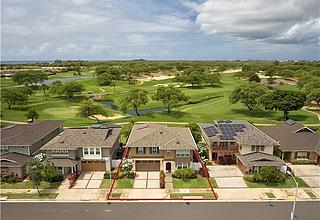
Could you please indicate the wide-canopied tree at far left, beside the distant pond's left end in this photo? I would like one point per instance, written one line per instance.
(27, 78)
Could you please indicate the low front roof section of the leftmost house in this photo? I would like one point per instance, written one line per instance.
(13, 160)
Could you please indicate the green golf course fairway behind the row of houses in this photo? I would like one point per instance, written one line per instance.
(212, 104)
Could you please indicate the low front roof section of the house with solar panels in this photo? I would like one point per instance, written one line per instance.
(259, 159)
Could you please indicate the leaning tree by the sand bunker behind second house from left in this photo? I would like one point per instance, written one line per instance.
(90, 108)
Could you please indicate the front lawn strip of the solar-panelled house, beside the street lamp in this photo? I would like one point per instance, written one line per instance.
(289, 183)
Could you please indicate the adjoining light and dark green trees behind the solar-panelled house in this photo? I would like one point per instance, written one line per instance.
(255, 96)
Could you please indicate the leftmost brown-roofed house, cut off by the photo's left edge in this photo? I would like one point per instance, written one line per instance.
(19, 142)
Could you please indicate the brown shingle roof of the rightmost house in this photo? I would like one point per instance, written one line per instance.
(295, 137)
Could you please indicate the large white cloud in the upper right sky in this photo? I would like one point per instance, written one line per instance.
(289, 21)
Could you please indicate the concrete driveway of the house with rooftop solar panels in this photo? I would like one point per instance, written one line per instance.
(227, 176)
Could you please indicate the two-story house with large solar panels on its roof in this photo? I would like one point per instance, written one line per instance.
(242, 142)
